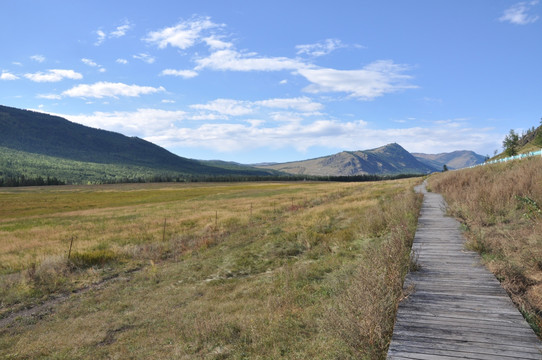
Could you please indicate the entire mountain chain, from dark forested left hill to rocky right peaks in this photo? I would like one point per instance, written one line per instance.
(34, 144)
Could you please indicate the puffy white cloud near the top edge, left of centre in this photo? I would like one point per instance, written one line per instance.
(183, 35)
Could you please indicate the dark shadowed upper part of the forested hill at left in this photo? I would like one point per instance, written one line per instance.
(53, 136)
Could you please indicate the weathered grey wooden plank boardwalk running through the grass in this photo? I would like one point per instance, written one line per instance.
(457, 308)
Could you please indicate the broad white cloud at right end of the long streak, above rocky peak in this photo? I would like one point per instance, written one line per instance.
(374, 80)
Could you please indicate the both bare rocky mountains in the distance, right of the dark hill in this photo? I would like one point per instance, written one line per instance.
(386, 160)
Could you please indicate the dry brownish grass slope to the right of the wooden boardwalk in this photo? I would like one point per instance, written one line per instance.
(500, 207)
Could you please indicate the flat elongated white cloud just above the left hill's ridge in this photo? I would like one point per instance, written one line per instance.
(108, 89)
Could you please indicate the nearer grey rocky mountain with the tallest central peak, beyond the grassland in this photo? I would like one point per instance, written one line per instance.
(386, 160)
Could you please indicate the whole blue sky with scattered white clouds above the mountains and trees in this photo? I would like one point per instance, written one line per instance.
(258, 81)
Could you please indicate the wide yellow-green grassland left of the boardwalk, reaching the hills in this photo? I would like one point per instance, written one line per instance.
(212, 271)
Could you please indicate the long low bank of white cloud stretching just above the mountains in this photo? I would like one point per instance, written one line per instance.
(168, 129)
